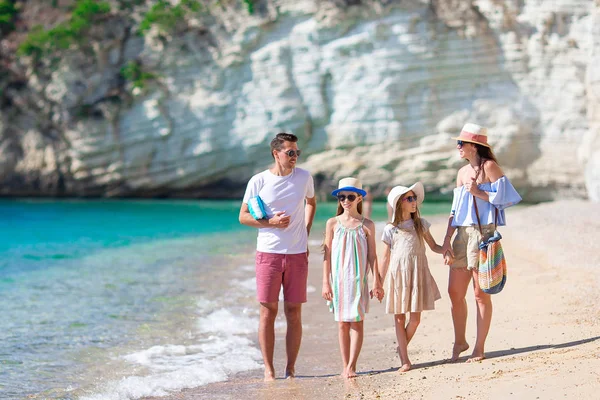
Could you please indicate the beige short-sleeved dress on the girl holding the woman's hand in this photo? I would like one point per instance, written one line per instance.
(409, 285)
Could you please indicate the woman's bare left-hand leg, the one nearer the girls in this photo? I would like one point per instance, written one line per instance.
(458, 283)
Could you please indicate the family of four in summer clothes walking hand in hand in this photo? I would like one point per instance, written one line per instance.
(281, 203)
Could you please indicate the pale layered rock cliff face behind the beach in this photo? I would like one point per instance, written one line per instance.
(375, 90)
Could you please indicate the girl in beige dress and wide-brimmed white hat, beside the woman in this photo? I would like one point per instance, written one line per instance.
(409, 286)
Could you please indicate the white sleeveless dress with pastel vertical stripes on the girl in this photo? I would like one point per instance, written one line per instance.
(349, 280)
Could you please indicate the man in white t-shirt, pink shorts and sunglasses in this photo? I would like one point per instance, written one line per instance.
(289, 199)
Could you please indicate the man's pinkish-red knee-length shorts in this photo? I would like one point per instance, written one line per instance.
(273, 270)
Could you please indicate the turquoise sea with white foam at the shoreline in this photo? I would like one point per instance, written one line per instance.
(128, 299)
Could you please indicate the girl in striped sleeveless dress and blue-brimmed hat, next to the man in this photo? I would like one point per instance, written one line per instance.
(349, 254)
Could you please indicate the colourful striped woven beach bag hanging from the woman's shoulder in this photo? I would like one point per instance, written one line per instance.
(492, 264)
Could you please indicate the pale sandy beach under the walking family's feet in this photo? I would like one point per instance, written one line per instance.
(544, 341)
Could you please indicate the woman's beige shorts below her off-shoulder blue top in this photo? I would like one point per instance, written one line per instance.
(466, 245)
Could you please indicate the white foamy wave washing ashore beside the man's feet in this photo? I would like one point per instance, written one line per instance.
(222, 352)
